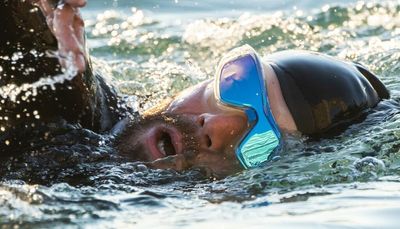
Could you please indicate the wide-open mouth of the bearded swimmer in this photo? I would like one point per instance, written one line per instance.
(164, 141)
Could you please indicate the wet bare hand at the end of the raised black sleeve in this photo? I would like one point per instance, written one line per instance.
(66, 23)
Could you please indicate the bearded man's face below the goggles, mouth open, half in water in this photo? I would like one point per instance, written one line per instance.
(193, 130)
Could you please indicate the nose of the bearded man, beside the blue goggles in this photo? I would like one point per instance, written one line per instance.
(219, 131)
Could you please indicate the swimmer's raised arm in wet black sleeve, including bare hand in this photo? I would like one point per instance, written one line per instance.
(34, 90)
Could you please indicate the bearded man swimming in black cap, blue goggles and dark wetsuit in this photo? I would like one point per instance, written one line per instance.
(216, 124)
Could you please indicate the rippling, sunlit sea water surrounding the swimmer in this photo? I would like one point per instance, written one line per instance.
(153, 49)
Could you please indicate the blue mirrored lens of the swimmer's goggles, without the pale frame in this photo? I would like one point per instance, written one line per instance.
(241, 84)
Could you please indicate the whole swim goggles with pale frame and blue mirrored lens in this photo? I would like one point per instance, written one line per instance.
(240, 84)
